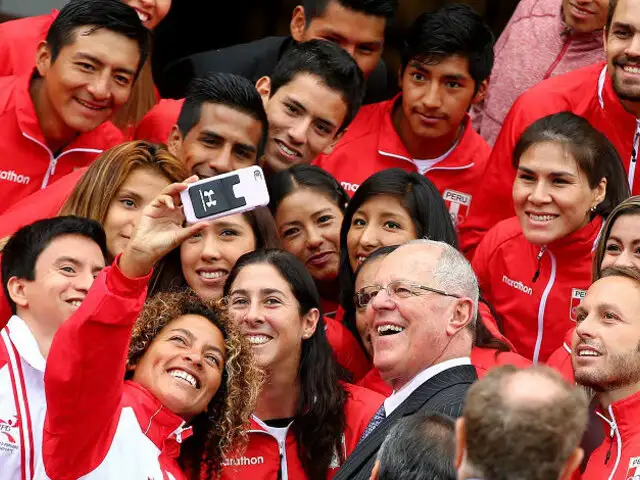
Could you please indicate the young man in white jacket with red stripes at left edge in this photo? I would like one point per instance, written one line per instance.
(47, 270)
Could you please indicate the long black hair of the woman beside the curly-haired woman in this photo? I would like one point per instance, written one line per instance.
(320, 418)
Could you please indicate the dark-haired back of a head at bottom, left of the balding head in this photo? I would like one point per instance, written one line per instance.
(419, 447)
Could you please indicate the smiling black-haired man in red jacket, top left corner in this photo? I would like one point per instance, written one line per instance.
(57, 118)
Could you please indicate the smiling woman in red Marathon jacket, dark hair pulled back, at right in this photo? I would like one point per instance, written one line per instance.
(533, 267)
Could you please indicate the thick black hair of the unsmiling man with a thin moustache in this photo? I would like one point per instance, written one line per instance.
(454, 29)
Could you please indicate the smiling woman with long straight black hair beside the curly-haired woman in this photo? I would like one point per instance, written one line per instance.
(307, 421)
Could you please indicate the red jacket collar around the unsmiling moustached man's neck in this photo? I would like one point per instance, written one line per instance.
(390, 144)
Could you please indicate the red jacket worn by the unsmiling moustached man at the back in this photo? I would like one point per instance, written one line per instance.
(371, 144)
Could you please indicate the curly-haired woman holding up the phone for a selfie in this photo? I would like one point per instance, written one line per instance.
(190, 382)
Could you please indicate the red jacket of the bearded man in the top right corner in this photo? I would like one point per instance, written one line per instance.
(587, 92)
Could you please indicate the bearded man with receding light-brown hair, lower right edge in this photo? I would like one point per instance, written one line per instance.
(606, 358)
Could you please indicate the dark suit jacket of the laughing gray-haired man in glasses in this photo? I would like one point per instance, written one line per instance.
(444, 393)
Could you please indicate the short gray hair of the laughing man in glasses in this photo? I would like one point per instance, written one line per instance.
(453, 273)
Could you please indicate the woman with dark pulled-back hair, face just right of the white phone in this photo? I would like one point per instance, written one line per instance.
(308, 206)
